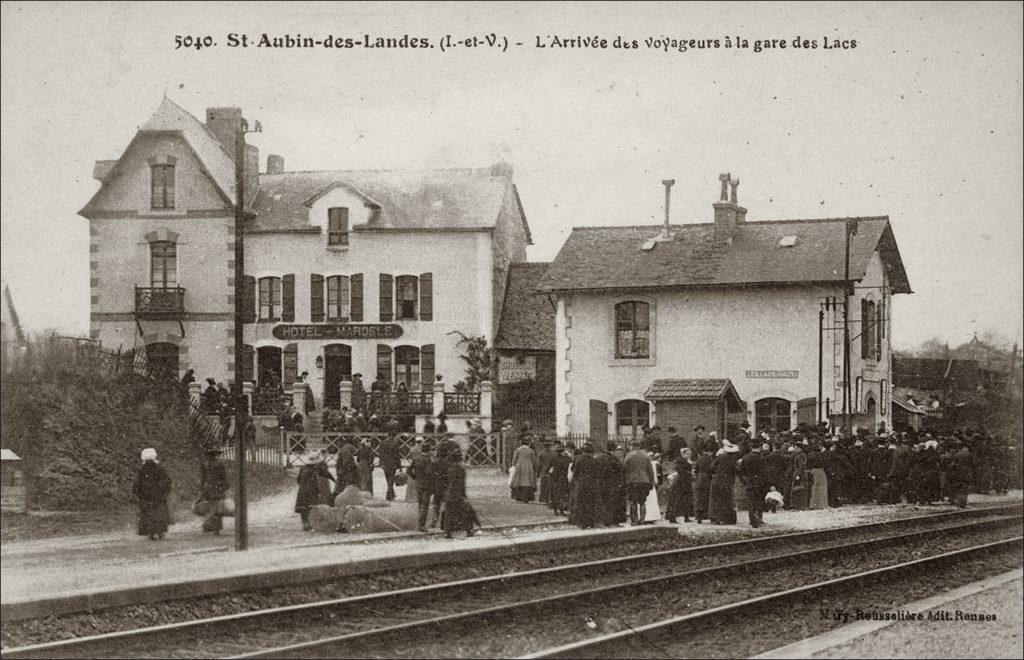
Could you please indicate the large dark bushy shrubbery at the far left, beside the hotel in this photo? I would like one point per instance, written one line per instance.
(79, 427)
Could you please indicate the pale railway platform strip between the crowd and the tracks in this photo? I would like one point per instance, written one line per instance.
(82, 568)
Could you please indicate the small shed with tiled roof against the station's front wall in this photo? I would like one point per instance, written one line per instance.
(686, 404)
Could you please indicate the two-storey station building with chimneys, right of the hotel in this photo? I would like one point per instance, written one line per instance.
(726, 316)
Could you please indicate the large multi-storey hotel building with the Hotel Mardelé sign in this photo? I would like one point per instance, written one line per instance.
(371, 273)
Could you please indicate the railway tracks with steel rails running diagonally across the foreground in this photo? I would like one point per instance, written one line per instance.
(396, 623)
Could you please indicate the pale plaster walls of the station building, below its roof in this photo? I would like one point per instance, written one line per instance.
(718, 333)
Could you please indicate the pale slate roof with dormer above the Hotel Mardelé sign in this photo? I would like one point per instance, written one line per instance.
(465, 199)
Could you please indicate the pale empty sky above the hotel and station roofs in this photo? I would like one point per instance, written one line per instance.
(922, 121)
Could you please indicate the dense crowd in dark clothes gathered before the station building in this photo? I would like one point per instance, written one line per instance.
(704, 478)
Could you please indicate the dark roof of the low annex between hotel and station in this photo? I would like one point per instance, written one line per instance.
(528, 320)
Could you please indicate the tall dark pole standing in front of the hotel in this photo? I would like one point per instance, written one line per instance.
(241, 407)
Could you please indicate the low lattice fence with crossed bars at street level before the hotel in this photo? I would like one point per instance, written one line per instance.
(478, 450)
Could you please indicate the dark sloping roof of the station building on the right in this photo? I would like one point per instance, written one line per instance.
(612, 257)
